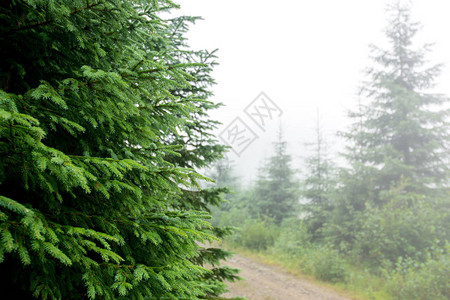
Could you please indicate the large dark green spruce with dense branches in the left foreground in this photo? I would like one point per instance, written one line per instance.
(97, 198)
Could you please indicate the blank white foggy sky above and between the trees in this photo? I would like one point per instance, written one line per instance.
(306, 56)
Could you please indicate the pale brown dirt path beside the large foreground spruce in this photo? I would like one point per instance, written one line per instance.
(264, 282)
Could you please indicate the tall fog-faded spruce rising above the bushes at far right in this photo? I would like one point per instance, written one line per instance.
(402, 132)
